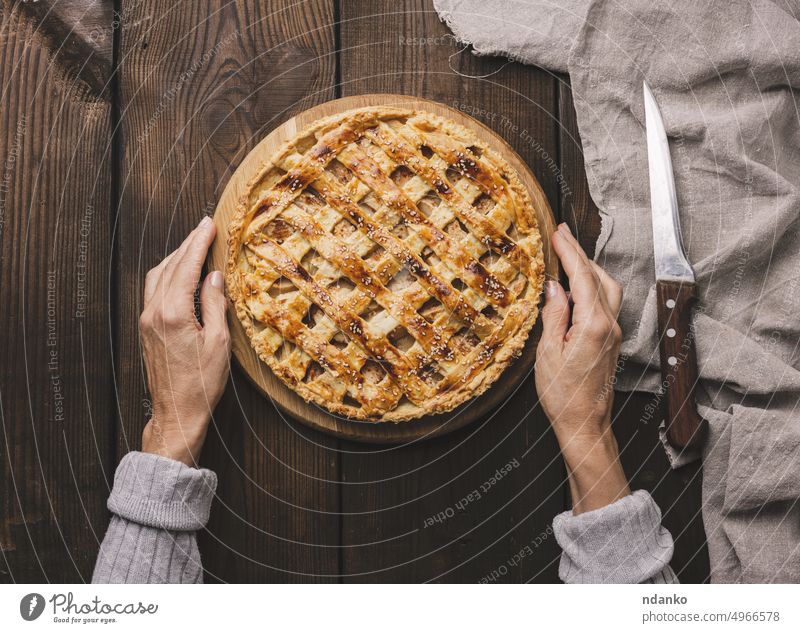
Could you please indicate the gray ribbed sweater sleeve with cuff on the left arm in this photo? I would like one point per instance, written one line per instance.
(157, 504)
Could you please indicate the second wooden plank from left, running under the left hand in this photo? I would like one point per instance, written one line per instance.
(200, 84)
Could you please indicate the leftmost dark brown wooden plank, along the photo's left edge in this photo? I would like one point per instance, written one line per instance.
(55, 179)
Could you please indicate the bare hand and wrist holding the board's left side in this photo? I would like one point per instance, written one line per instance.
(187, 363)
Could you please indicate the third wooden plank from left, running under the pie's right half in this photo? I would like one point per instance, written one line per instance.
(392, 495)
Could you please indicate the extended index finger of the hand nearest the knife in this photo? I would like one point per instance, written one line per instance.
(585, 288)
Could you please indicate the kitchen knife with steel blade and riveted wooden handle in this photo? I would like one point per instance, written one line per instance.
(675, 291)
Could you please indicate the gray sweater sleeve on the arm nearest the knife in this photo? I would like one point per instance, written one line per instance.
(621, 543)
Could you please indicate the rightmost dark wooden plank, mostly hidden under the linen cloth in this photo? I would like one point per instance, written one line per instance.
(678, 493)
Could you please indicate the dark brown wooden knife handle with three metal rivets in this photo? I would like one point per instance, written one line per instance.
(685, 426)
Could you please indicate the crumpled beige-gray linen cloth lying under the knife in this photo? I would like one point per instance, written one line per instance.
(726, 75)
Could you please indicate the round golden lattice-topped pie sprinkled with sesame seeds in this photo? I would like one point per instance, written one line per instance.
(386, 264)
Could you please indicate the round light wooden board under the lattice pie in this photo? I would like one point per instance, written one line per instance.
(309, 413)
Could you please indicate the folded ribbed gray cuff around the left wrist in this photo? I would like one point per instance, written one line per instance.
(162, 493)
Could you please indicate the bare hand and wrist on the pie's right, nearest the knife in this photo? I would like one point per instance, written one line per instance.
(575, 366)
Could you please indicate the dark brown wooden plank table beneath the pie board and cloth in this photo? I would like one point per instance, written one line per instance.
(120, 124)
